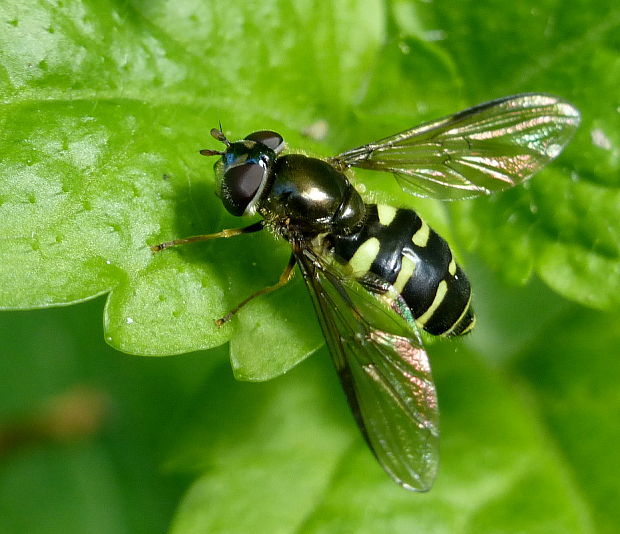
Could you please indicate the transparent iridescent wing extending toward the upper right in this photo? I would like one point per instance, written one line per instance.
(487, 148)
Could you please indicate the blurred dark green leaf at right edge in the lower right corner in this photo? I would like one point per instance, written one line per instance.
(571, 372)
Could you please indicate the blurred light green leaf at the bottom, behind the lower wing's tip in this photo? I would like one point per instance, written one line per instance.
(285, 457)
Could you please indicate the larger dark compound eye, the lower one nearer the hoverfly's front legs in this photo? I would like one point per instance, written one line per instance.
(240, 185)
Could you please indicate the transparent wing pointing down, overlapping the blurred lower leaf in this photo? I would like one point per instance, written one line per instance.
(383, 368)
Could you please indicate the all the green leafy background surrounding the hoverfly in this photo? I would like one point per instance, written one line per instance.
(104, 106)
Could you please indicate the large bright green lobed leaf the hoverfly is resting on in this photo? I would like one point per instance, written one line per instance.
(100, 153)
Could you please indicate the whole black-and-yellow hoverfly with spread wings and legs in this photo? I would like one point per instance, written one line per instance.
(376, 273)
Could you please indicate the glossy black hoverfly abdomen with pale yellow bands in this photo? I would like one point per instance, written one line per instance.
(399, 247)
